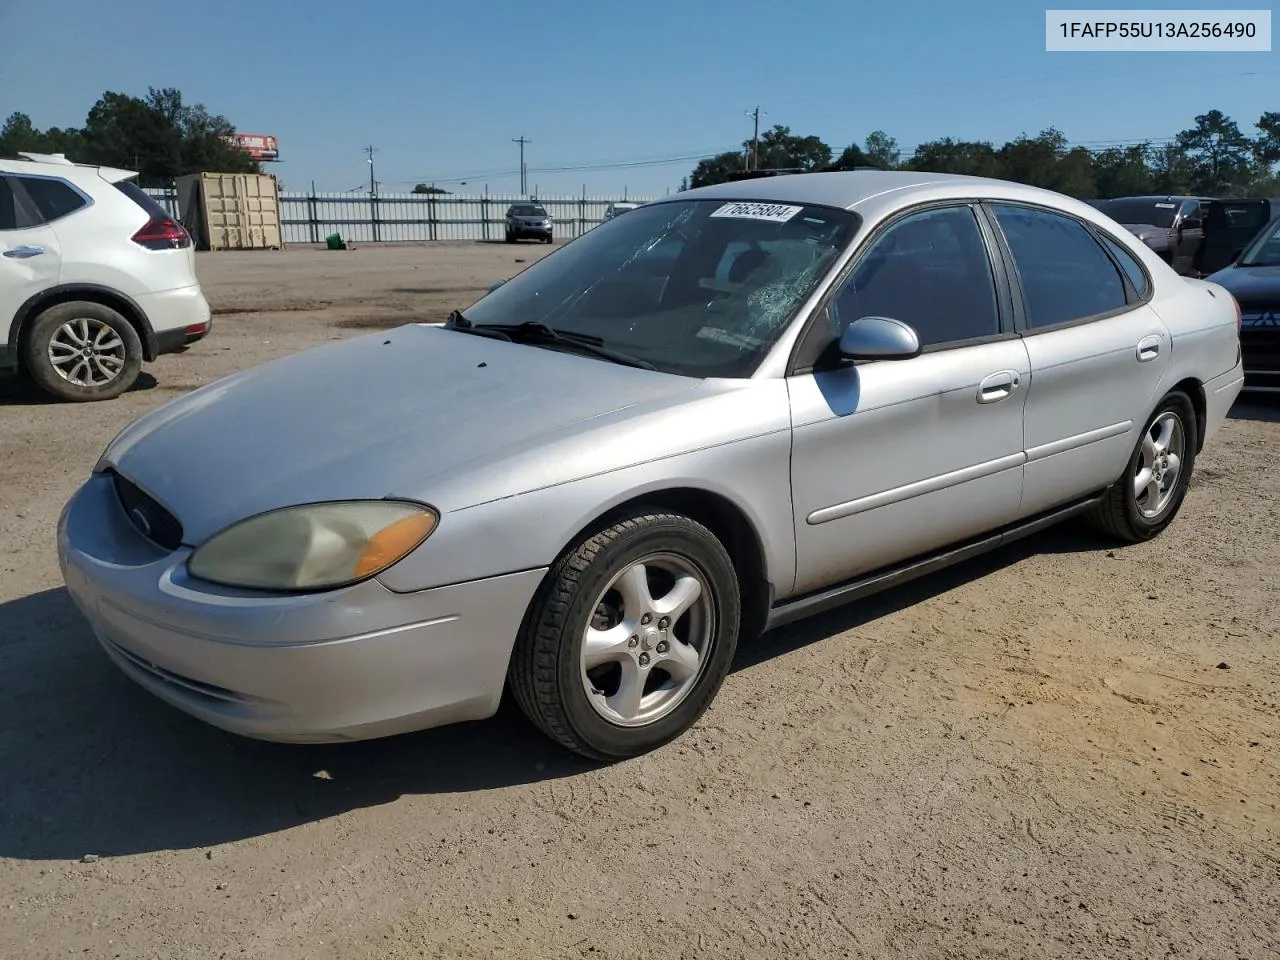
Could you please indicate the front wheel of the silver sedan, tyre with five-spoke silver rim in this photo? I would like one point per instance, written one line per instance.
(630, 638)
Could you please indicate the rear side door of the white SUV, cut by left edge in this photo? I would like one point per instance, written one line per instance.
(30, 253)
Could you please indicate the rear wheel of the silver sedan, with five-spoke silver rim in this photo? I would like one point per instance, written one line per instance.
(1150, 493)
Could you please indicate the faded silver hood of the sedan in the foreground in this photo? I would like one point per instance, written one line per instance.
(368, 418)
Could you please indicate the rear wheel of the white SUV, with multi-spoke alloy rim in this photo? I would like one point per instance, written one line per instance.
(83, 351)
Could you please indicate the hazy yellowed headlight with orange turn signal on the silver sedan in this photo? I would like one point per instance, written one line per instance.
(314, 547)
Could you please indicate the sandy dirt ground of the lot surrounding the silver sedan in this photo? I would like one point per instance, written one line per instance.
(1060, 751)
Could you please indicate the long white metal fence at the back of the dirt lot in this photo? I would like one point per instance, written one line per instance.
(310, 218)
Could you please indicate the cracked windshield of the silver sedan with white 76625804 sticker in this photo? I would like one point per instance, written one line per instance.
(701, 289)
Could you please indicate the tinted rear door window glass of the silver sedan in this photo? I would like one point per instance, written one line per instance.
(1064, 273)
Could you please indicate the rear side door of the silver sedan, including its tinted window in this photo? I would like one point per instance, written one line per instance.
(1098, 351)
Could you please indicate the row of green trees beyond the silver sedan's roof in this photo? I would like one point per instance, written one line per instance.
(1212, 158)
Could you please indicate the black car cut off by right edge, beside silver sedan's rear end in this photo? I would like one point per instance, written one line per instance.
(1254, 280)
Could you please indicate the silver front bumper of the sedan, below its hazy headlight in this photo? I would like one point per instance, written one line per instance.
(346, 665)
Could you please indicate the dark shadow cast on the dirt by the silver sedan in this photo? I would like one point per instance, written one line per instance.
(99, 767)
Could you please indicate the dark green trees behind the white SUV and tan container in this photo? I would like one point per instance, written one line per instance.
(159, 136)
